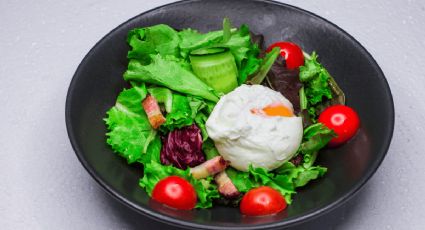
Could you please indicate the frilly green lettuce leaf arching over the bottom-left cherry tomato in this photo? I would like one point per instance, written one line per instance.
(205, 189)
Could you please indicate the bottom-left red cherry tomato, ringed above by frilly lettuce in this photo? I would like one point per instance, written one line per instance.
(175, 192)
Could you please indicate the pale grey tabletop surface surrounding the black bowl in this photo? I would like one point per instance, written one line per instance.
(42, 184)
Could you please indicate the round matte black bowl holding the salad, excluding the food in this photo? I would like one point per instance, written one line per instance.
(98, 80)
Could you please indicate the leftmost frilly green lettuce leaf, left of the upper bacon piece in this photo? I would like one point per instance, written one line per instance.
(130, 133)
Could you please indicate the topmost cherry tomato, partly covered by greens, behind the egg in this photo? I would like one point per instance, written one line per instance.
(292, 53)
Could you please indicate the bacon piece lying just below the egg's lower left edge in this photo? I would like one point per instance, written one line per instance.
(209, 167)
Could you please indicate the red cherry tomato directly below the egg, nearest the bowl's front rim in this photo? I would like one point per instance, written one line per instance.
(262, 201)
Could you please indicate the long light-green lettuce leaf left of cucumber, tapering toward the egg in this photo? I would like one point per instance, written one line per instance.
(171, 73)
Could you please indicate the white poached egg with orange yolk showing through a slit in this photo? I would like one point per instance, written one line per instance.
(255, 125)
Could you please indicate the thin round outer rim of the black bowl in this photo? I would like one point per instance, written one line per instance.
(308, 216)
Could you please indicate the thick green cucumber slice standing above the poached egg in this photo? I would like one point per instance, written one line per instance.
(216, 67)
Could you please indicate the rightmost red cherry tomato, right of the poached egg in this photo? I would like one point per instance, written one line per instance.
(343, 120)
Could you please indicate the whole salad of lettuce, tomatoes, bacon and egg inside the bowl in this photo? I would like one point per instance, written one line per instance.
(217, 119)
